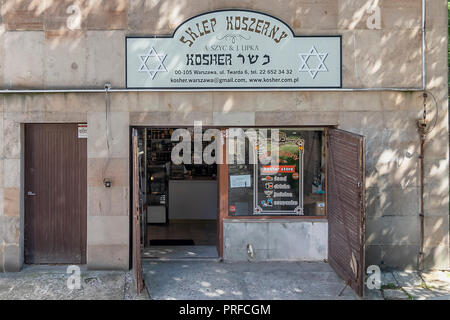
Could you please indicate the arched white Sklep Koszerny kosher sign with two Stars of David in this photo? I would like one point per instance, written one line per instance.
(233, 49)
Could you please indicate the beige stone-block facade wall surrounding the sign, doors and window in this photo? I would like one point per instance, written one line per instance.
(37, 50)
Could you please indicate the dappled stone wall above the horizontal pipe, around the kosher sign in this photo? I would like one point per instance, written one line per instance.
(77, 35)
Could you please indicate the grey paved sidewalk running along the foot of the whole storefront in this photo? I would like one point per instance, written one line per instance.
(181, 279)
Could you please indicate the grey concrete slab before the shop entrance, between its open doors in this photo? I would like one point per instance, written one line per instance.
(193, 280)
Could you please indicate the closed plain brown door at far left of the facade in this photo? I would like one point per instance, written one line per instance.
(55, 194)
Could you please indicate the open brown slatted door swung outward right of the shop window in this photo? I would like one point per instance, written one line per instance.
(346, 206)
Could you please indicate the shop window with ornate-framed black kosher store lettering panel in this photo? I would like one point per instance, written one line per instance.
(285, 178)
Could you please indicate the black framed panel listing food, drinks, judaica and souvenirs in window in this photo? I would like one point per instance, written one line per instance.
(279, 188)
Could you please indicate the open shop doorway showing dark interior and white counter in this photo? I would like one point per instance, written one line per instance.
(178, 201)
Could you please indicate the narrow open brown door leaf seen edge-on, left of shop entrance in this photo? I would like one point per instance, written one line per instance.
(137, 242)
